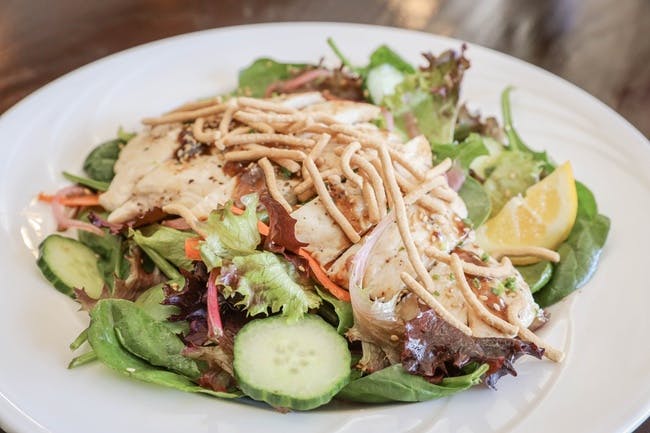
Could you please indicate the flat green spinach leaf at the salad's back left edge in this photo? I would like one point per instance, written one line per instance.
(256, 78)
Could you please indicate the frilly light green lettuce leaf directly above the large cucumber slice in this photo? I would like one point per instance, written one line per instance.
(267, 283)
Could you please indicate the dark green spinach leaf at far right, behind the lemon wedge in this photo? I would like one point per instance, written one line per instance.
(580, 253)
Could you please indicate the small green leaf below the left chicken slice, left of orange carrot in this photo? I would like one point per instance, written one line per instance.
(167, 242)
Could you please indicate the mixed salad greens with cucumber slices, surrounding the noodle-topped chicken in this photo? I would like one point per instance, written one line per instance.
(239, 312)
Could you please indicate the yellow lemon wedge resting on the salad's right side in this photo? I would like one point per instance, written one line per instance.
(542, 218)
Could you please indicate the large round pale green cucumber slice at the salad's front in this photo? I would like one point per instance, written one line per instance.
(299, 365)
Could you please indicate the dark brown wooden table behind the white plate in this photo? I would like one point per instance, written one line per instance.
(600, 45)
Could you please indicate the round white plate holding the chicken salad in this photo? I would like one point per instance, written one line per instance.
(603, 385)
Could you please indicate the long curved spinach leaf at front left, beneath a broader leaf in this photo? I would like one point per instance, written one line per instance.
(105, 344)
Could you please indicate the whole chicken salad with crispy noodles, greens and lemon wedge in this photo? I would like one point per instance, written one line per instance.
(351, 233)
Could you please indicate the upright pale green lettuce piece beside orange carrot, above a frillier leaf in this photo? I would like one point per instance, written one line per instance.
(230, 235)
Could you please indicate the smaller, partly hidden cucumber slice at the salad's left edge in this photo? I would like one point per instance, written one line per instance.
(67, 263)
